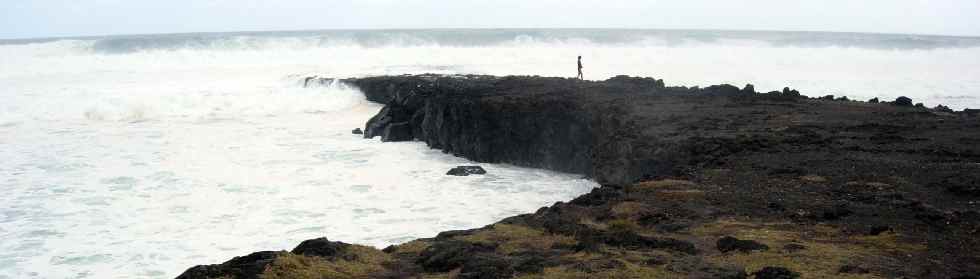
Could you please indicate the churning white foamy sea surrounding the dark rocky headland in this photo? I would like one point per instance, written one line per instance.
(140, 156)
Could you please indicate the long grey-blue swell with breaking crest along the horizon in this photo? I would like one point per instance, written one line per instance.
(501, 37)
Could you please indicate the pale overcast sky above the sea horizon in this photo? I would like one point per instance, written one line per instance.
(46, 18)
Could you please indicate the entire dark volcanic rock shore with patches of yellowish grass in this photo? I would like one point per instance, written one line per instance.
(715, 182)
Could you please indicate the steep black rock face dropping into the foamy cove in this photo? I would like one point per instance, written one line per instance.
(531, 121)
